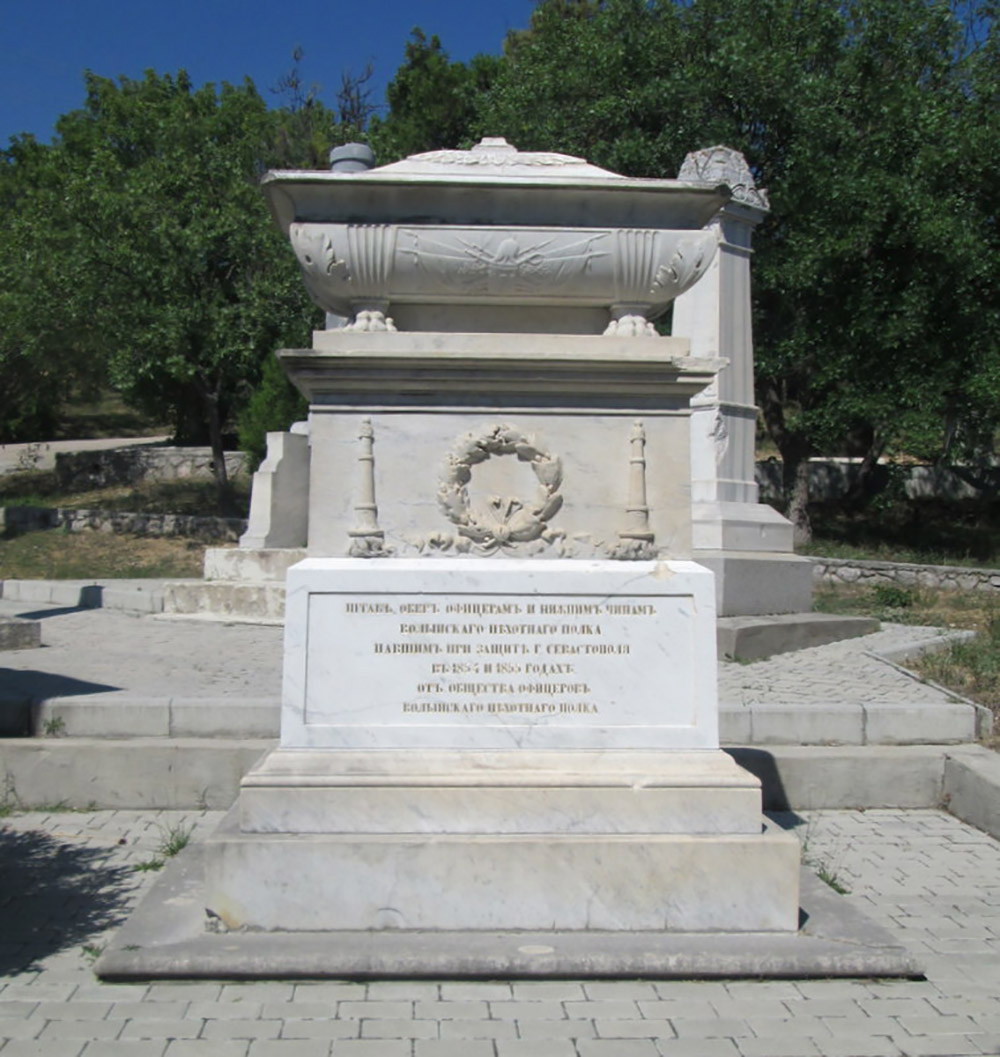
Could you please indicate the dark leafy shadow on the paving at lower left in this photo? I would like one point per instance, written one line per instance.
(54, 896)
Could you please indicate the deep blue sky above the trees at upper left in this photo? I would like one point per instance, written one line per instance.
(47, 45)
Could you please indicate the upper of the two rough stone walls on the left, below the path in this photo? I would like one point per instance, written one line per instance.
(102, 470)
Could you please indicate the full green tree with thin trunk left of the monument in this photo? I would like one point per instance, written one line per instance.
(187, 285)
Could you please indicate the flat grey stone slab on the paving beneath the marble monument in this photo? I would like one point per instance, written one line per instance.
(166, 938)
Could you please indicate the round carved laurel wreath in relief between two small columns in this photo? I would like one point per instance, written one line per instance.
(507, 521)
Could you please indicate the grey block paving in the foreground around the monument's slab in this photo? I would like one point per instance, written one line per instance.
(68, 879)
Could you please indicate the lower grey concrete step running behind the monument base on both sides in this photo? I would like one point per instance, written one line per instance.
(190, 773)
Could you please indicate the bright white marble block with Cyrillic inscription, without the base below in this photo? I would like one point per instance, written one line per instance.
(480, 669)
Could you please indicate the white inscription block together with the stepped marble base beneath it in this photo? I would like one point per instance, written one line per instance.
(501, 746)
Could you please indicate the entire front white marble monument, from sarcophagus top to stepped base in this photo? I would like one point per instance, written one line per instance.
(499, 707)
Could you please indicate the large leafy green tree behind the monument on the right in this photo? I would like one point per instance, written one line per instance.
(865, 121)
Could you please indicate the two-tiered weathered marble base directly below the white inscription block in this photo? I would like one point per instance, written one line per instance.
(494, 841)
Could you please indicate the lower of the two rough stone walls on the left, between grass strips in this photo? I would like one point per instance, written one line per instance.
(18, 520)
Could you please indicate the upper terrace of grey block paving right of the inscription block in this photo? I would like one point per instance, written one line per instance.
(845, 674)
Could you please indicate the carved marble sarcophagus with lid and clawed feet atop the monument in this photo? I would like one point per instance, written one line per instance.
(516, 240)
